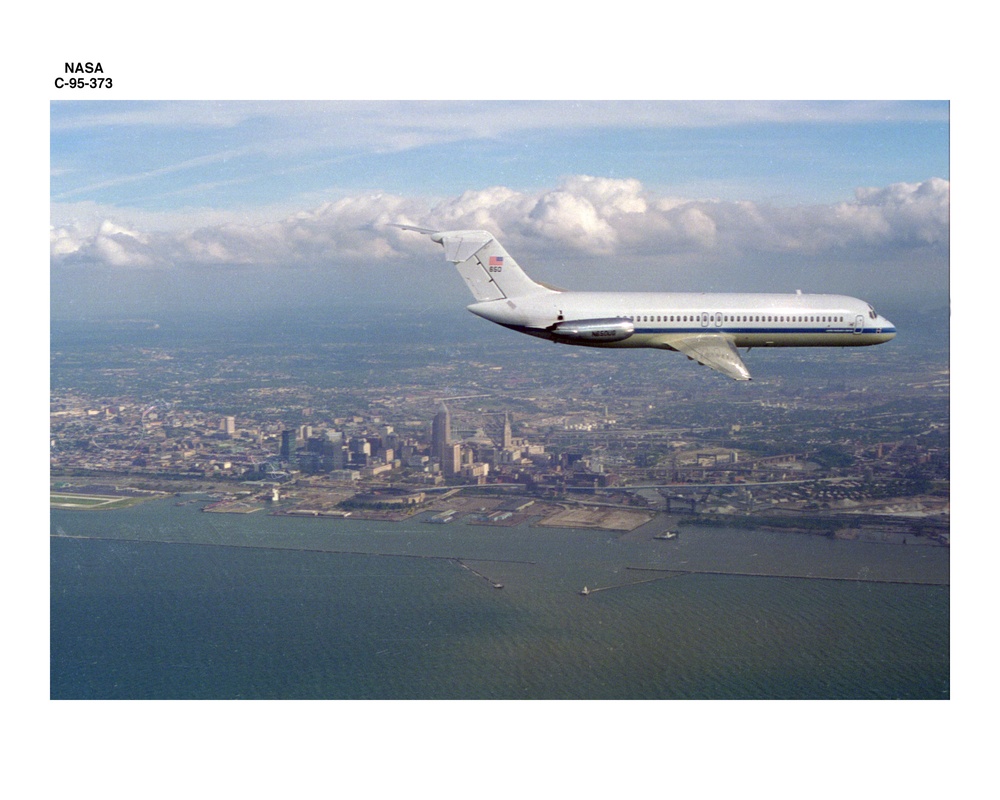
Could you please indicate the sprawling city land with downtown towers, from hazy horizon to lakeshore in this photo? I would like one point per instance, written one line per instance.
(840, 456)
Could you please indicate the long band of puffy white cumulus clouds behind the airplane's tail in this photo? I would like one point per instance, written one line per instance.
(590, 215)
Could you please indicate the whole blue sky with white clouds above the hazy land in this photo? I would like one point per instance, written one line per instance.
(287, 200)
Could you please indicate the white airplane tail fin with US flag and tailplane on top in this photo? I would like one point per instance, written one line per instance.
(487, 269)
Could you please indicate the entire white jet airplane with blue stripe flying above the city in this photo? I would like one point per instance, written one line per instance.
(706, 327)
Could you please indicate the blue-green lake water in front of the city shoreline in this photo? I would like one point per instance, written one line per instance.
(163, 601)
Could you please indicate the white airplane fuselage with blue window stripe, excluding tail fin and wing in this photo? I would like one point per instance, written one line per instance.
(749, 320)
